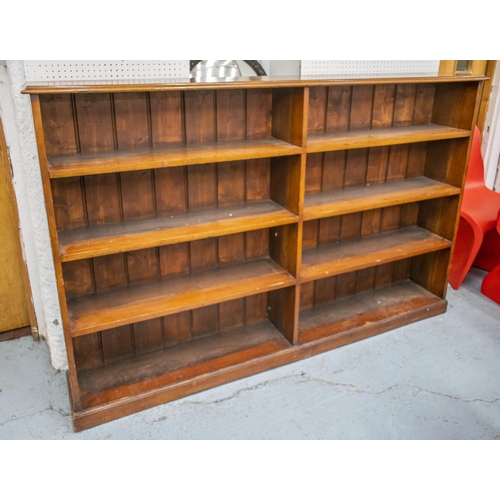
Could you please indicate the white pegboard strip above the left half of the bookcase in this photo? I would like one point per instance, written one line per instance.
(47, 71)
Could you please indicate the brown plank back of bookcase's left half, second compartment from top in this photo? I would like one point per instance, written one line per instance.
(144, 194)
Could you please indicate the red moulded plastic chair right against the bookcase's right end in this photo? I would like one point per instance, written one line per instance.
(478, 217)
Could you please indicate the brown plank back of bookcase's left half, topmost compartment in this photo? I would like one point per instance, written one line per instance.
(85, 123)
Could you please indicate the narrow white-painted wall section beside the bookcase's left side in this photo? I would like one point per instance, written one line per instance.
(19, 131)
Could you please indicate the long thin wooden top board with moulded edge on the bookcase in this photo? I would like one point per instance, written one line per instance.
(103, 86)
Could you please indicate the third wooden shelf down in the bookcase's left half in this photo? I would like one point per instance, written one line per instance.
(113, 308)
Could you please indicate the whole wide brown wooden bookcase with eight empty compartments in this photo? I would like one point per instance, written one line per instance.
(203, 232)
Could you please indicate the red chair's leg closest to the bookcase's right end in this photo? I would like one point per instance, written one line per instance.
(467, 245)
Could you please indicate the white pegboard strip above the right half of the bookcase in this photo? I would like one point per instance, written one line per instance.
(347, 69)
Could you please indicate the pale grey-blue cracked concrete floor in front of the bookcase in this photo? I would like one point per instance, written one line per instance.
(435, 379)
